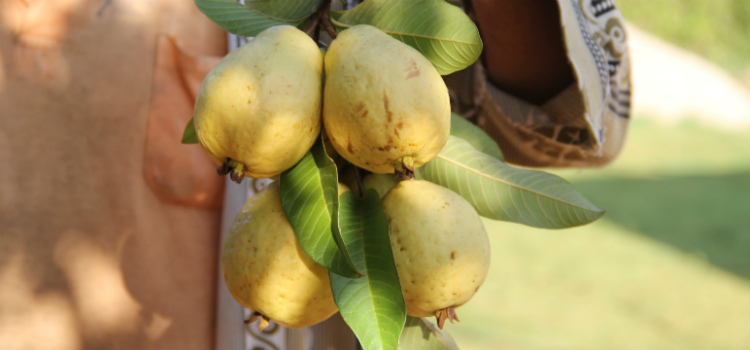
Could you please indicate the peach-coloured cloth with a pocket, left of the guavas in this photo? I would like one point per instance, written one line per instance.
(109, 228)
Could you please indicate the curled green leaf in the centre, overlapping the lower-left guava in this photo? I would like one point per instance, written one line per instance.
(309, 196)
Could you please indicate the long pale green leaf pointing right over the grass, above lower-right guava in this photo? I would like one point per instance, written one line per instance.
(501, 192)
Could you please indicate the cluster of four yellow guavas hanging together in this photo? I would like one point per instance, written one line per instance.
(385, 109)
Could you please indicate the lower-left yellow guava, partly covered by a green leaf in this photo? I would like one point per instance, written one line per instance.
(266, 270)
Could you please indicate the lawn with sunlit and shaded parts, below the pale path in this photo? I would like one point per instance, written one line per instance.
(667, 267)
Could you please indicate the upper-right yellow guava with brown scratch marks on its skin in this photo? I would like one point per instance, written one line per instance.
(385, 108)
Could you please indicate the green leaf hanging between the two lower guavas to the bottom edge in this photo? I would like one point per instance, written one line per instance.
(373, 305)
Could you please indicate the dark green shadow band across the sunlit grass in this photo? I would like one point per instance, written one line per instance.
(704, 215)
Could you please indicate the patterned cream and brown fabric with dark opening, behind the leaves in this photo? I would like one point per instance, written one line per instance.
(556, 90)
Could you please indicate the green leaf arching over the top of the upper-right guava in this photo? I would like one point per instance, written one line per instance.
(440, 31)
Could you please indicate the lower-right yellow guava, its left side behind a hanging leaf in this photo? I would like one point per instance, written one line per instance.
(440, 247)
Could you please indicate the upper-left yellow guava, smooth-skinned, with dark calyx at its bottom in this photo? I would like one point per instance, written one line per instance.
(258, 111)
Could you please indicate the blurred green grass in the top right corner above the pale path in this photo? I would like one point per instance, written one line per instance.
(718, 30)
